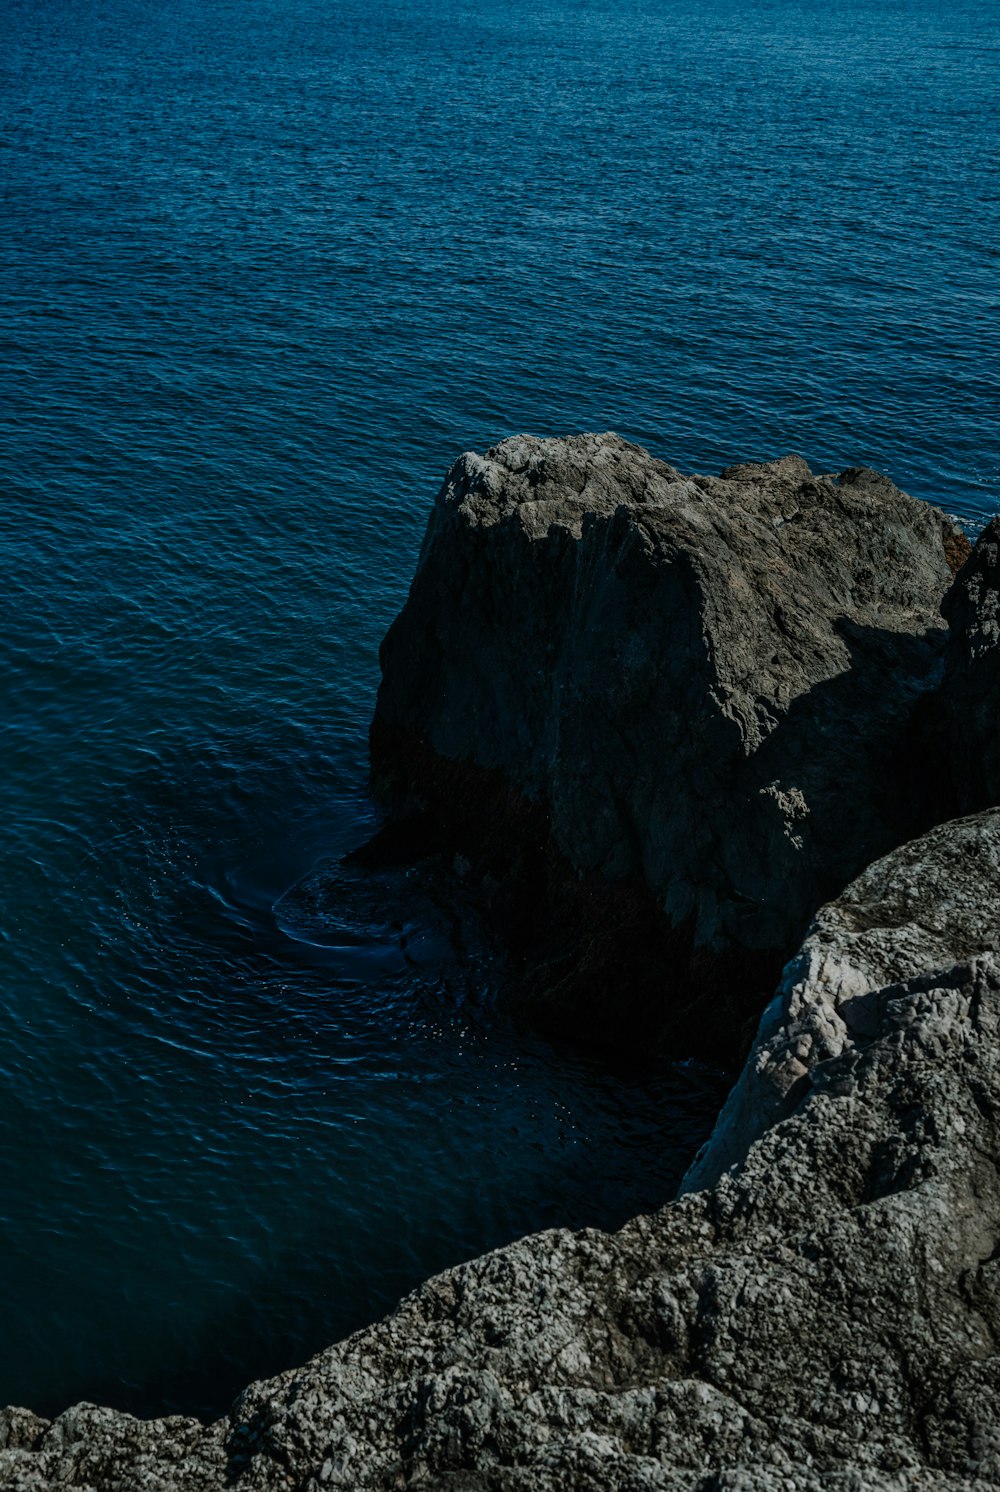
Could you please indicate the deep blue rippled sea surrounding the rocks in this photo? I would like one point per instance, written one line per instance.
(266, 268)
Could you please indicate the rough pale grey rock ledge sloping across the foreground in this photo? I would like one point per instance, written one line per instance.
(826, 1318)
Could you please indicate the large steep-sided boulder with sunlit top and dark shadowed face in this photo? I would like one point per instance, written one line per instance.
(695, 690)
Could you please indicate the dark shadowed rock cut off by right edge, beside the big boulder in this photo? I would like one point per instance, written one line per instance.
(969, 700)
